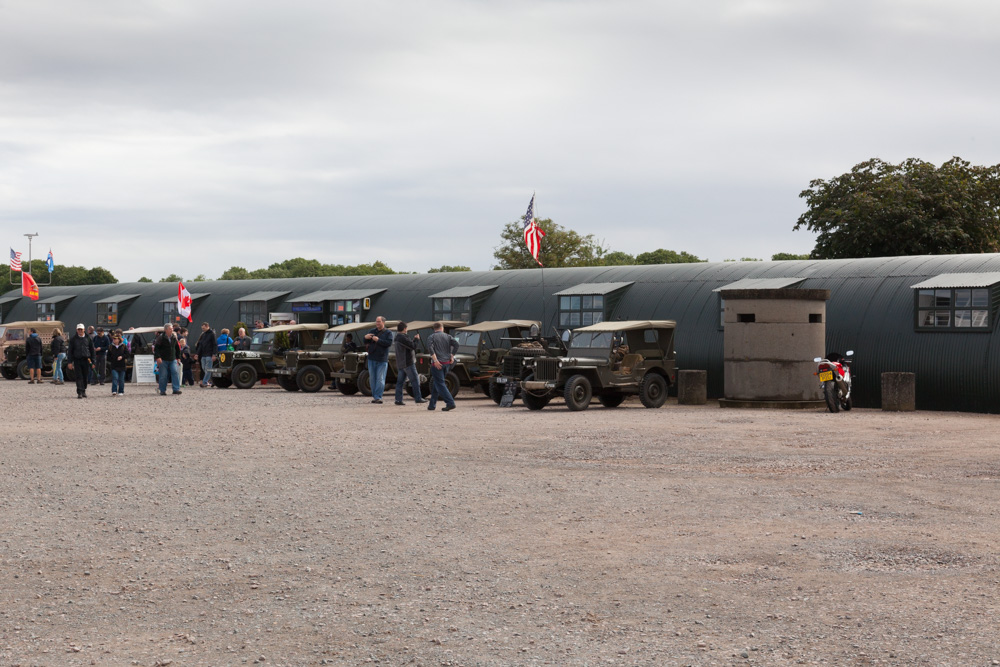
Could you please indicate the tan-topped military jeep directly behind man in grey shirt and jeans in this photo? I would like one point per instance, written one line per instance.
(481, 350)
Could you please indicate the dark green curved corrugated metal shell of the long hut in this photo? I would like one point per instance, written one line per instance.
(871, 310)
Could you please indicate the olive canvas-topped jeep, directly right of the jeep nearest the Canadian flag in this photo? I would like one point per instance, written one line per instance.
(311, 369)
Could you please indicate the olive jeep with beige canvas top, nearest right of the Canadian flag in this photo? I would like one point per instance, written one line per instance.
(244, 368)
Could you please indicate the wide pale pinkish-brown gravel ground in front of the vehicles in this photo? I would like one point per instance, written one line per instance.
(228, 527)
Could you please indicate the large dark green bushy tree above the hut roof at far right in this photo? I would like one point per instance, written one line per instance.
(913, 208)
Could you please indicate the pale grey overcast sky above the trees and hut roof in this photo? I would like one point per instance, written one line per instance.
(187, 136)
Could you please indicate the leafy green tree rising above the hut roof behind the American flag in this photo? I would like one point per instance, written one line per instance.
(560, 247)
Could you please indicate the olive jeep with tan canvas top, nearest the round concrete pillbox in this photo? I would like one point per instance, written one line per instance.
(610, 360)
